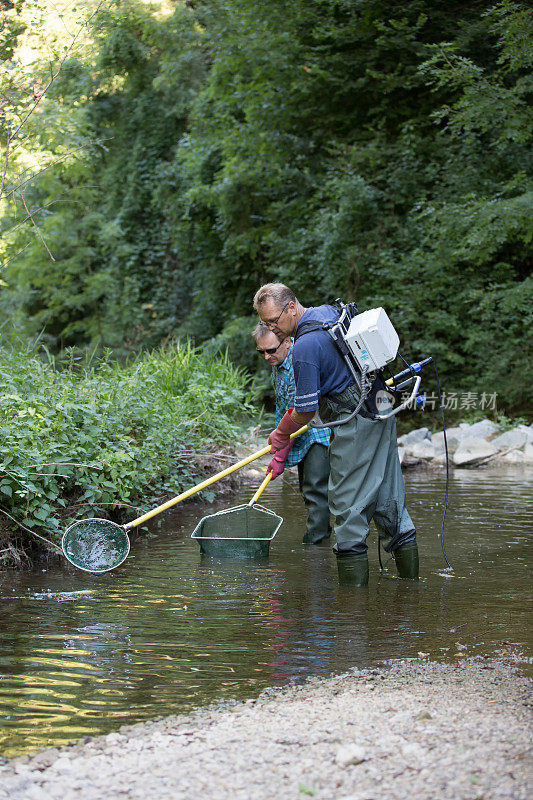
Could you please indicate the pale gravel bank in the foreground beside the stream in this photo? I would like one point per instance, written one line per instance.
(423, 730)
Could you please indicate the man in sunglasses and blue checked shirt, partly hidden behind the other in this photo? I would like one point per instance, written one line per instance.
(310, 451)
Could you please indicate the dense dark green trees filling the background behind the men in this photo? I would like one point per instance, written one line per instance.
(350, 148)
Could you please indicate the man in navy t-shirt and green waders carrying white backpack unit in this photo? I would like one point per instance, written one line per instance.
(365, 480)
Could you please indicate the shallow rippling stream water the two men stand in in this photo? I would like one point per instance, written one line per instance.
(169, 630)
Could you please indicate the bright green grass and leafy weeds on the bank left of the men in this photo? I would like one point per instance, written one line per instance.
(82, 439)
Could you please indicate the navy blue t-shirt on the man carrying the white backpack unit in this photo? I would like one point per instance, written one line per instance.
(319, 368)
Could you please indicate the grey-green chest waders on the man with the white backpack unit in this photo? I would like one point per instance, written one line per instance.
(365, 475)
